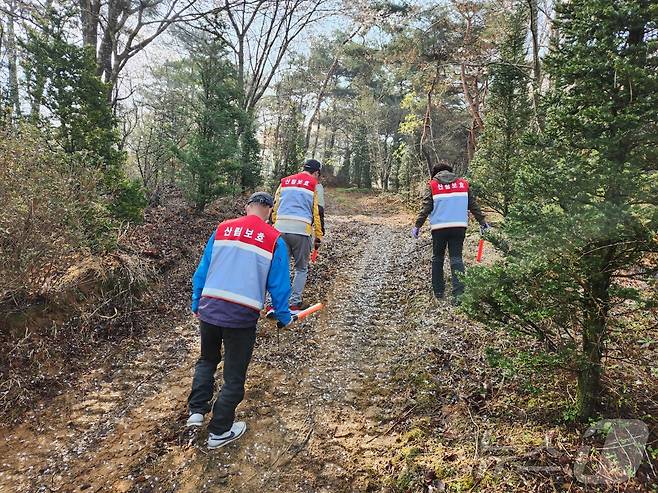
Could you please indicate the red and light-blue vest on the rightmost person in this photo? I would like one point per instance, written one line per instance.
(450, 204)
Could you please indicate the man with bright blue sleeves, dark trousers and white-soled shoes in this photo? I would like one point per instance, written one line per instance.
(244, 258)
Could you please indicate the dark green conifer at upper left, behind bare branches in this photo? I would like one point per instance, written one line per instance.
(62, 77)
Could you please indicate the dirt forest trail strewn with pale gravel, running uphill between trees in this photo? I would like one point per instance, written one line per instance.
(320, 406)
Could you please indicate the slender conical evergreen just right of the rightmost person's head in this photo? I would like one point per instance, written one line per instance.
(500, 151)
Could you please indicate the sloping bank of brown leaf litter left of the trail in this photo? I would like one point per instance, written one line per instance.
(101, 306)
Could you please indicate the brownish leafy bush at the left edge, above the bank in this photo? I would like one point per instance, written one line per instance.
(52, 209)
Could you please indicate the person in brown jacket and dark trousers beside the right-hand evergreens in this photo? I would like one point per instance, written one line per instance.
(446, 202)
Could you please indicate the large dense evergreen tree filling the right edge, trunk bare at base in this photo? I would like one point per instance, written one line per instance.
(585, 217)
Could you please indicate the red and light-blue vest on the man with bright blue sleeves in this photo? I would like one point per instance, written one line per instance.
(240, 263)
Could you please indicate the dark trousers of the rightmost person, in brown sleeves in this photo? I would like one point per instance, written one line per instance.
(453, 239)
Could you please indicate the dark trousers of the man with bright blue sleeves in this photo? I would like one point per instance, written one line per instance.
(238, 347)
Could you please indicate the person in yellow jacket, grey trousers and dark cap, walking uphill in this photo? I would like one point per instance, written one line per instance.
(297, 216)
